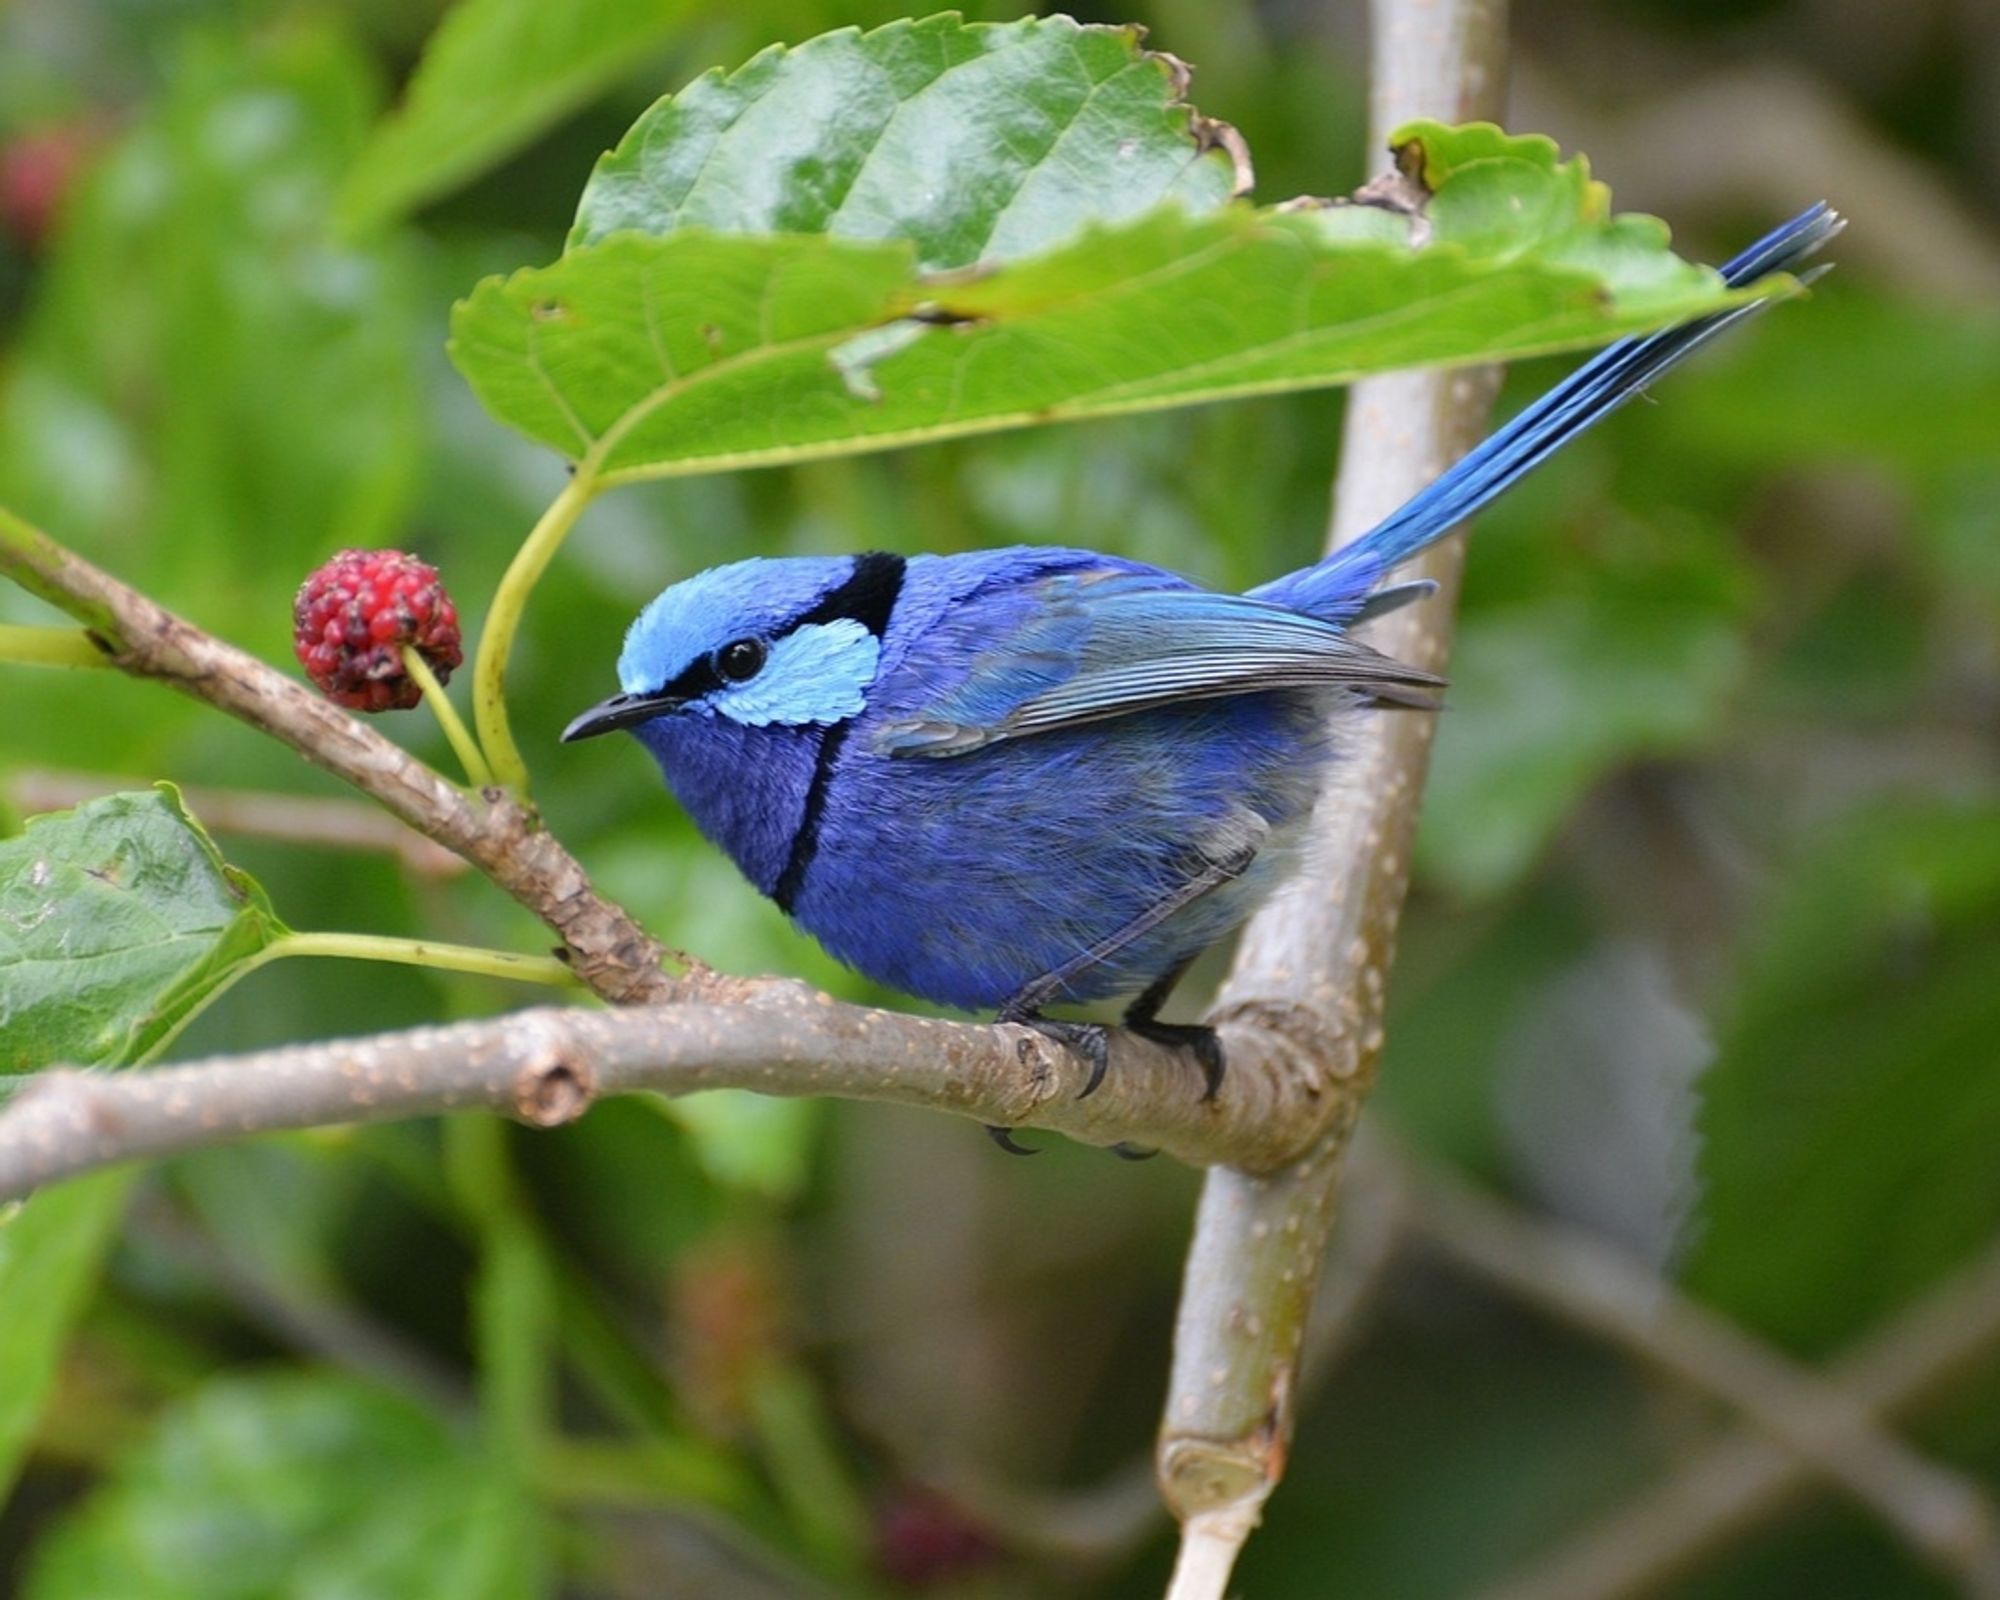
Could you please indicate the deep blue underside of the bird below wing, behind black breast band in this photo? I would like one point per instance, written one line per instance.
(965, 881)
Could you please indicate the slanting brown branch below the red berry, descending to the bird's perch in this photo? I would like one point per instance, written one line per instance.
(493, 831)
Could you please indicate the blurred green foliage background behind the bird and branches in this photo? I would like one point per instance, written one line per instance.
(1725, 713)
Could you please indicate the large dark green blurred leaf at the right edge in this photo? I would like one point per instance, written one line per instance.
(1855, 1109)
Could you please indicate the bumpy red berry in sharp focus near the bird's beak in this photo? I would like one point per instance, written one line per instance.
(355, 615)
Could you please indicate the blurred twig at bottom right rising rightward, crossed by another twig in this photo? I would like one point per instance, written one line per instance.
(1741, 1483)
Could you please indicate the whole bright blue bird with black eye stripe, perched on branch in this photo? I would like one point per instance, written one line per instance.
(1025, 777)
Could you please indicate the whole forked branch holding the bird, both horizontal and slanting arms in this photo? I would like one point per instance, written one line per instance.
(1279, 1097)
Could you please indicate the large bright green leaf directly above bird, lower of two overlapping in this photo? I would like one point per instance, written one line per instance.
(695, 353)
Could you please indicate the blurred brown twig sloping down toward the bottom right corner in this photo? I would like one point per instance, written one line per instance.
(1939, 1513)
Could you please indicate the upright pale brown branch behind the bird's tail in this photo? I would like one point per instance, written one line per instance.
(1319, 955)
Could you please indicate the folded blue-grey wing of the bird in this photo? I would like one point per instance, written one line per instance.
(1087, 647)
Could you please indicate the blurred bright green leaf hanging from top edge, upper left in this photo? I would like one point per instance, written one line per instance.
(493, 77)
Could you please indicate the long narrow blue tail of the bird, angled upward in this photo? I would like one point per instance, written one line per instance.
(1341, 585)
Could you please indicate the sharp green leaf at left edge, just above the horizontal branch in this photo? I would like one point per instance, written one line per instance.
(117, 923)
